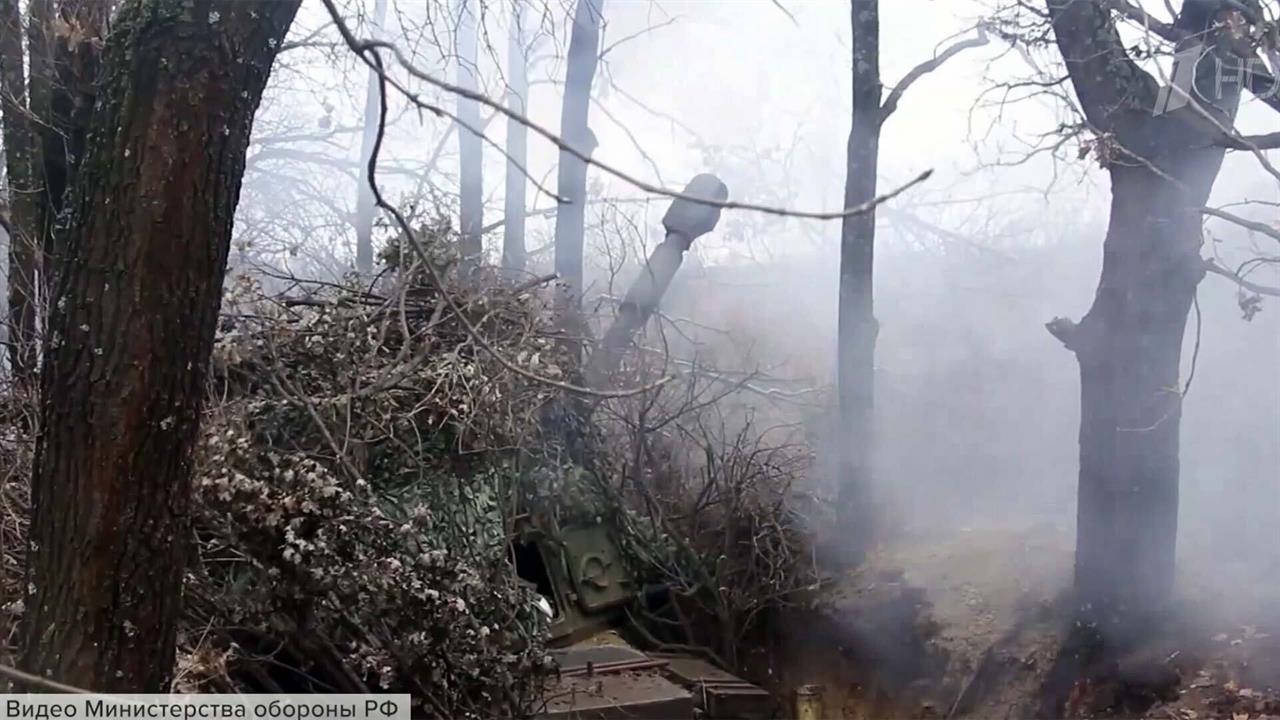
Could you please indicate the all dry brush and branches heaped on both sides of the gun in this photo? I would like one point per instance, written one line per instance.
(360, 464)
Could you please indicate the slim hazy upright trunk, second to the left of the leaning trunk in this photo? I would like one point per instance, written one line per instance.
(470, 149)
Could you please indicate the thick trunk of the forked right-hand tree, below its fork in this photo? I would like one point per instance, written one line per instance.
(1130, 349)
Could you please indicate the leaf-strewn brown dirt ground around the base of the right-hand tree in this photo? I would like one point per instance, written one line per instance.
(970, 625)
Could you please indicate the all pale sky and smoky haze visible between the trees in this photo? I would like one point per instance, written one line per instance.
(979, 407)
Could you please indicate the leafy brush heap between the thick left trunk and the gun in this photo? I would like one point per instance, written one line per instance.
(355, 472)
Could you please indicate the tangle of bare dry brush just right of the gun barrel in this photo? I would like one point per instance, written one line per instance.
(714, 503)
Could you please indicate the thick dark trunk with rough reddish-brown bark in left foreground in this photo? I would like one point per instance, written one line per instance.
(131, 335)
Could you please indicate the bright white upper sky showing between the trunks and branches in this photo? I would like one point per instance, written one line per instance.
(767, 81)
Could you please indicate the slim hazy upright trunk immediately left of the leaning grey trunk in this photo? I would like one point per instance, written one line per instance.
(518, 149)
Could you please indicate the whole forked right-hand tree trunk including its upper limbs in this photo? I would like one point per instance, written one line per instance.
(1130, 345)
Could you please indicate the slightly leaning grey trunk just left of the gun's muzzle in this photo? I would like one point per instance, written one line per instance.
(584, 51)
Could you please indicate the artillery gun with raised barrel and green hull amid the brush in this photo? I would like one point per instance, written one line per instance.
(580, 575)
